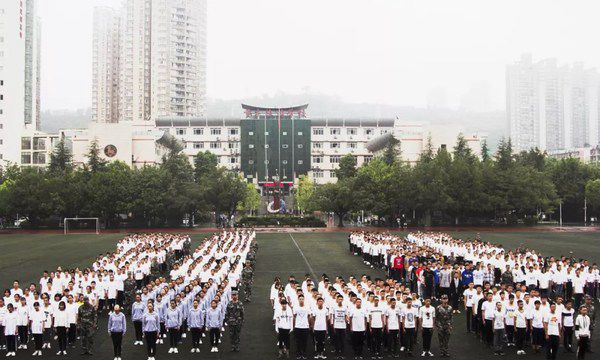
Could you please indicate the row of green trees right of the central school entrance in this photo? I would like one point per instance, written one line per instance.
(458, 187)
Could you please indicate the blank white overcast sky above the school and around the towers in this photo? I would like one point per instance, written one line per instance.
(382, 51)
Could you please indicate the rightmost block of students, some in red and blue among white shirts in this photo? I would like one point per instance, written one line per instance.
(511, 298)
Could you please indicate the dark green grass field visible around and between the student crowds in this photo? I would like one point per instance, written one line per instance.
(280, 254)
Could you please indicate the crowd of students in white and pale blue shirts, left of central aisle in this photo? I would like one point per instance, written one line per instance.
(193, 299)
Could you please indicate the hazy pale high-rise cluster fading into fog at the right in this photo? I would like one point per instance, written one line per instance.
(551, 107)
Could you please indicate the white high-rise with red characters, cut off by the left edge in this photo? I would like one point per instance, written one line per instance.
(19, 74)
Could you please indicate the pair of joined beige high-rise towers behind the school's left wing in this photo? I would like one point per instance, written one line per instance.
(160, 62)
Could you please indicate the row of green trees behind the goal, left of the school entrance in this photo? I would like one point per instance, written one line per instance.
(149, 196)
